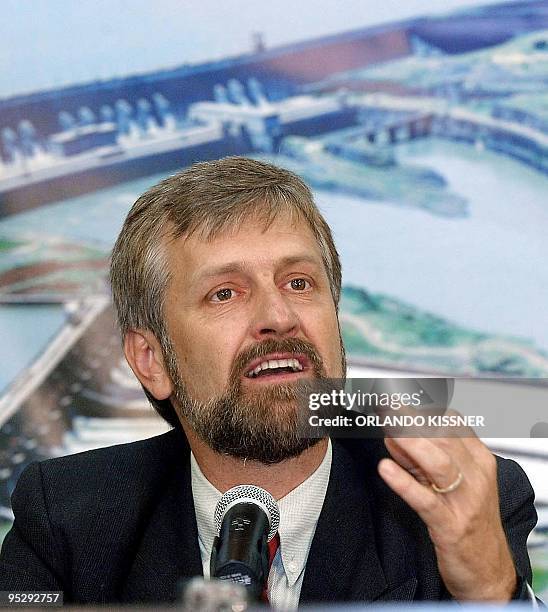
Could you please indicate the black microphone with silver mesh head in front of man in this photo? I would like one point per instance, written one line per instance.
(246, 518)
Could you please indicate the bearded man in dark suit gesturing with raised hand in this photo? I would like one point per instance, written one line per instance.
(226, 283)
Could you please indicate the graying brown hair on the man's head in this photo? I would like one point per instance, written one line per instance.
(207, 198)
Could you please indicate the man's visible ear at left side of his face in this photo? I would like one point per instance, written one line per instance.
(144, 356)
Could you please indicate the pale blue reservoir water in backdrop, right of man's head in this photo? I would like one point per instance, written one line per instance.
(487, 271)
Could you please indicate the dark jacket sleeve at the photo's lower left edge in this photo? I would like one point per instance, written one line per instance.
(30, 557)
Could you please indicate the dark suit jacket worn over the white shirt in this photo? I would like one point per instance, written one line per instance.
(118, 525)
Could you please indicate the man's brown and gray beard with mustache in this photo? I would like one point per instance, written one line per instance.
(259, 424)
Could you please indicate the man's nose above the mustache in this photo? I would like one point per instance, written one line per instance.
(274, 316)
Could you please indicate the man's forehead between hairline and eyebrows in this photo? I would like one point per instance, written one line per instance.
(252, 243)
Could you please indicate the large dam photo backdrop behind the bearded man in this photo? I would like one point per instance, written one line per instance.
(424, 136)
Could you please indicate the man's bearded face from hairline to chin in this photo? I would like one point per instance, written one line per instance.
(249, 315)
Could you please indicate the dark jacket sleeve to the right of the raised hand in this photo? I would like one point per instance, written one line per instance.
(519, 517)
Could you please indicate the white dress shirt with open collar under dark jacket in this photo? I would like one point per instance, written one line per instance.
(299, 513)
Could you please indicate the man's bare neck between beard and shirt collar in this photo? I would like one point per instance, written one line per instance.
(225, 472)
